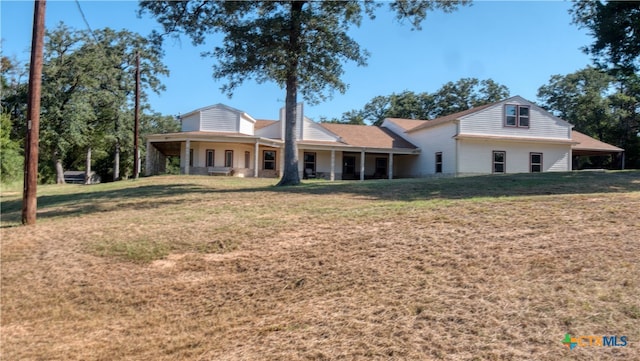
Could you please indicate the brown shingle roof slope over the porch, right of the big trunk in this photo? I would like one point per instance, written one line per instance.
(367, 136)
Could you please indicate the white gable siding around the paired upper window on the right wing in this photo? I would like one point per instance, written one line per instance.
(490, 121)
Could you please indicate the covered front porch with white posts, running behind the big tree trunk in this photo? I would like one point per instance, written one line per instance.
(250, 156)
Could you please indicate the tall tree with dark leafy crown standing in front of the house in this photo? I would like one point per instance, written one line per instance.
(299, 45)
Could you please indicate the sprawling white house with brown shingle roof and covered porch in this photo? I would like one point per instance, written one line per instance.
(510, 136)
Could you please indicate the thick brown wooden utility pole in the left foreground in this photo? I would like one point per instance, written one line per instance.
(29, 193)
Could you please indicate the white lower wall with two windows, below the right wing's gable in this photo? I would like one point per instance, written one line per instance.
(476, 156)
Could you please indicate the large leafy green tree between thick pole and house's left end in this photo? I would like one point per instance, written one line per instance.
(88, 84)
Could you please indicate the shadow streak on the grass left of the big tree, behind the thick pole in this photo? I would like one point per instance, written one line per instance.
(92, 201)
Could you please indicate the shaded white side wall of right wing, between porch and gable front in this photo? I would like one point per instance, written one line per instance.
(432, 140)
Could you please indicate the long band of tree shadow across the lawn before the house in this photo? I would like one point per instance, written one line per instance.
(153, 196)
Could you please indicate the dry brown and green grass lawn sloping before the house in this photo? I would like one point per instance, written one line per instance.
(219, 268)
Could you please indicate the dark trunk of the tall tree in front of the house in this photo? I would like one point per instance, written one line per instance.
(290, 174)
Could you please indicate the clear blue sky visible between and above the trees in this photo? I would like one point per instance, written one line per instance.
(520, 44)
